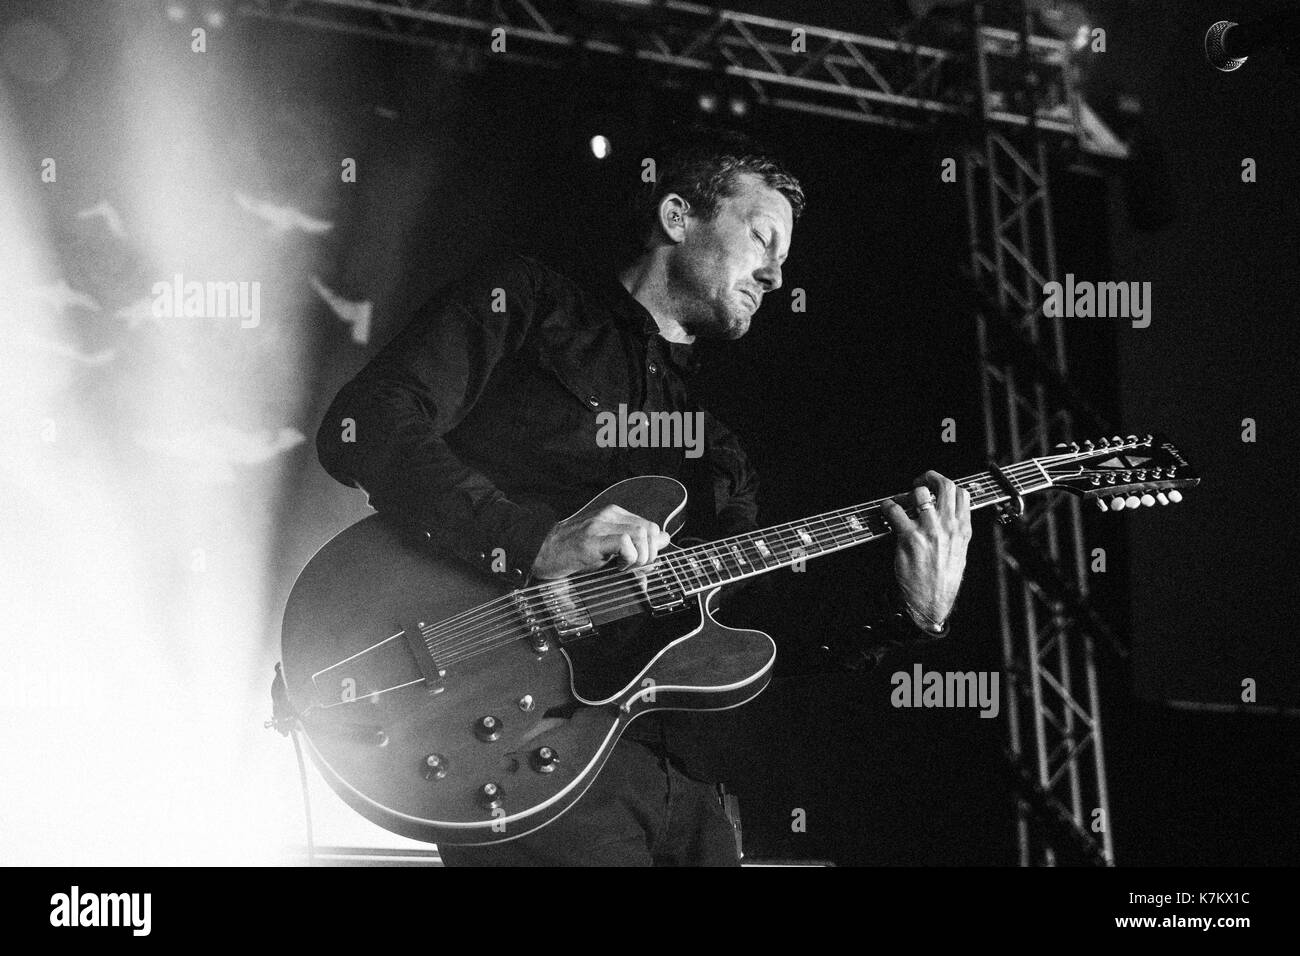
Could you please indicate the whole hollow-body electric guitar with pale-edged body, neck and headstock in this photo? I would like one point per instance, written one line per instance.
(447, 707)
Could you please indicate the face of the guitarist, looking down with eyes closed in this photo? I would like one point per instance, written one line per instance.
(722, 270)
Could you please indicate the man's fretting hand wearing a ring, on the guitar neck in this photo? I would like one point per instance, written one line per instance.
(930, 553)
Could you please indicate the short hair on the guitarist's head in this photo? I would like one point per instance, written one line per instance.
(704, 167)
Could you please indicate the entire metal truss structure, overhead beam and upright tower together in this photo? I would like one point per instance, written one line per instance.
(1016, 88)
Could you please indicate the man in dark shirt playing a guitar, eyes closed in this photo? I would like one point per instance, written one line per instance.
(479, 422)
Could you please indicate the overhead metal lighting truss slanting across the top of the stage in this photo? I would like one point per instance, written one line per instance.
(786, 64)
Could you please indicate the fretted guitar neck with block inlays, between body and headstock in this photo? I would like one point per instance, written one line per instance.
(703, 568)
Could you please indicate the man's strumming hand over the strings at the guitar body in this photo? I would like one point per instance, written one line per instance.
(584, 543)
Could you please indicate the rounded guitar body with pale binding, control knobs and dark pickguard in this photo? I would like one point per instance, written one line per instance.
(375, 715)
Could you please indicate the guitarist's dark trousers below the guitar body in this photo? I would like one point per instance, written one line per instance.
(642, 812)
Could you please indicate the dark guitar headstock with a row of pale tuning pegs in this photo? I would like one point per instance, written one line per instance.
(1126, 473)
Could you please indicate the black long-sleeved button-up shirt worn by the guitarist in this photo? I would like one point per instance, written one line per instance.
(480, 421)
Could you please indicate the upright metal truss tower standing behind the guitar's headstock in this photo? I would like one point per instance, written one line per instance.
(1048, 634)
